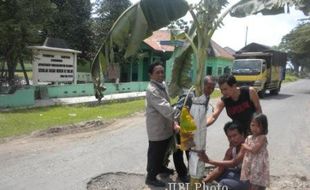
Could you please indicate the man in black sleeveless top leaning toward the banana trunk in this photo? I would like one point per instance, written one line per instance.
(240, 102)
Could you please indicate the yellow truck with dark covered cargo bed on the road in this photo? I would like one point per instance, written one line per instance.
(264, 70)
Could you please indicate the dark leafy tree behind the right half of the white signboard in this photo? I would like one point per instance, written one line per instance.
(71, 21)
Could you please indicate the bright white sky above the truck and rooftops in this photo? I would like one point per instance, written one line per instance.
(266, 30)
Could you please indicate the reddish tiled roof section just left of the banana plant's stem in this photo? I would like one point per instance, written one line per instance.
(154, 41)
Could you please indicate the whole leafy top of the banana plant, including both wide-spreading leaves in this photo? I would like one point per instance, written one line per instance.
(138, 21)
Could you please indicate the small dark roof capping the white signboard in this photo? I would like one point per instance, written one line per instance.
(55, 44)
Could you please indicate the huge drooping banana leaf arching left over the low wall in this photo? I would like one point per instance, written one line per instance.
(130, 29)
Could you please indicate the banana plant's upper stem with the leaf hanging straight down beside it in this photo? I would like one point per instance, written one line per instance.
(206, 20)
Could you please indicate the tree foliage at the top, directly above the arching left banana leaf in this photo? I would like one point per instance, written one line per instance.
(107, 13)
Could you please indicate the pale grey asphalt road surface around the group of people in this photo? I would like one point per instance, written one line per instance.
(69, 162)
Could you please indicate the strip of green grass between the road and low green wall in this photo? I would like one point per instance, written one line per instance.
(25, 121)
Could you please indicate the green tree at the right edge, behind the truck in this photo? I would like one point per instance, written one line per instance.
(297, 44)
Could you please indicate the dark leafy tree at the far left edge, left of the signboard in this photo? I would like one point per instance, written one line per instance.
(20, 23)
